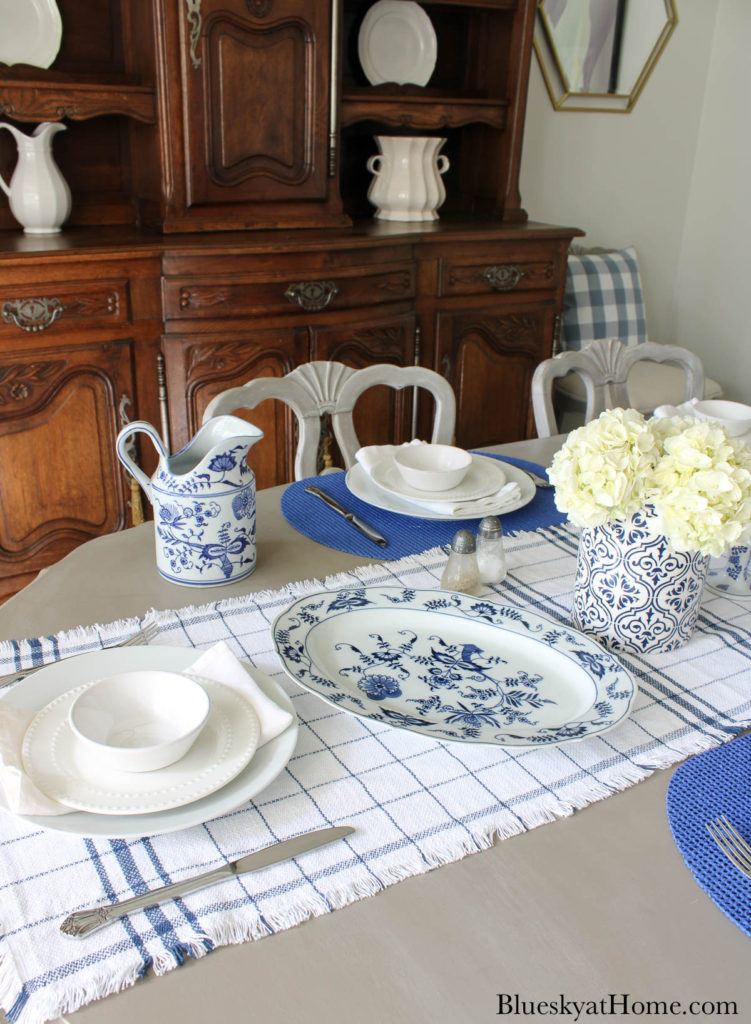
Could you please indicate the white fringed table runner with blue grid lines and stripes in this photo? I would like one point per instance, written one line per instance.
(416, 803)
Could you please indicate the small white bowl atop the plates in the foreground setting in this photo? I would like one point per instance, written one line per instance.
(140, 721)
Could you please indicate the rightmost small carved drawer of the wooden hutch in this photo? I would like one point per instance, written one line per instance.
(499, 272)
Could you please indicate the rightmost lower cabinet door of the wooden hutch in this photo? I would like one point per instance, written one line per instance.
(490, 355)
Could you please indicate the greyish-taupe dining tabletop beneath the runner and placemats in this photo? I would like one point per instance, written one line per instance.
(592, 911)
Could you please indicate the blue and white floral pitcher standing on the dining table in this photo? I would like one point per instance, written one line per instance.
(204, 502)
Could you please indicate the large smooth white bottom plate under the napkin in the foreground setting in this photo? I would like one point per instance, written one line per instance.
(269, 761)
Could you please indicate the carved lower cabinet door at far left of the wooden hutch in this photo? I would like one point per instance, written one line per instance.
(61, 409)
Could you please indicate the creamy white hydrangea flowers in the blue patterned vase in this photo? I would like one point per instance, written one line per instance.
(697, 479)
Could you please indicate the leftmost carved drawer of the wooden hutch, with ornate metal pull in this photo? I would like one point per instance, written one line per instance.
(46, 307)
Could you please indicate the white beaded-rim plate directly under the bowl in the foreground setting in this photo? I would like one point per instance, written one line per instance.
(61, 765)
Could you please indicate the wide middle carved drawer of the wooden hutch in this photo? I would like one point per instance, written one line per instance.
(330, 288)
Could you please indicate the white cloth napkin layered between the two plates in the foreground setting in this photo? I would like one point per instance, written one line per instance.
(21, 796)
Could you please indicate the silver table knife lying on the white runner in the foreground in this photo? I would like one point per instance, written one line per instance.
(84, 922)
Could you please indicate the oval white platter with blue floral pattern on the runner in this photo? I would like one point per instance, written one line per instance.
(452, 667)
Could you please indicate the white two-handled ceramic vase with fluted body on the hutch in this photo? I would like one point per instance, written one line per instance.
(407, 178)
